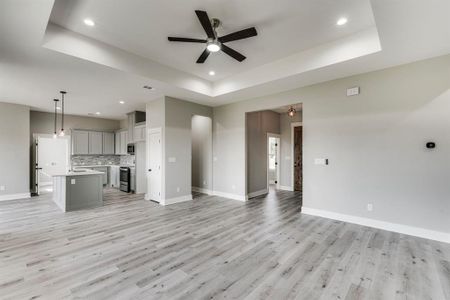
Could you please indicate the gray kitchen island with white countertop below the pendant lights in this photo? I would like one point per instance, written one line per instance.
(78, 189)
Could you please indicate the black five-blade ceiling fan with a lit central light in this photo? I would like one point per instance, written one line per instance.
(213, 42)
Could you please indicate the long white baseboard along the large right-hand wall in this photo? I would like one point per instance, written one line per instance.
(404, 229)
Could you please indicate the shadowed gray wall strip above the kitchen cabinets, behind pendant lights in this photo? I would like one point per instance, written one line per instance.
(43, 122)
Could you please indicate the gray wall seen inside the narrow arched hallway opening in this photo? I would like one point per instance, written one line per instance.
(201, 136)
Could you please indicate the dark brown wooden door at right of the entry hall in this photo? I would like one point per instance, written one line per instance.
(297, 154)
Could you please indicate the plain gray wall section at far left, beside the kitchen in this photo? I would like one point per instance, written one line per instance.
(14, 148)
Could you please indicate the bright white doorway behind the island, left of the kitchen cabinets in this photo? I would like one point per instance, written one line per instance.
(52, 156)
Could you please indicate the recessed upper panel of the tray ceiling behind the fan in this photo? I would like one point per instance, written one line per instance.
(285, 27)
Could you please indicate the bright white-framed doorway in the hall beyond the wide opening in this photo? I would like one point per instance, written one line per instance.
(273, 160)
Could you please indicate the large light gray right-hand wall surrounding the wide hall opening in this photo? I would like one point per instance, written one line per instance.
(375, 143)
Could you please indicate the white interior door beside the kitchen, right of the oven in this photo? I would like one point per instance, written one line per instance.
(154, 174)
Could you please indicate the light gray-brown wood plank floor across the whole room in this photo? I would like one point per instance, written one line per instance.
(209, 248)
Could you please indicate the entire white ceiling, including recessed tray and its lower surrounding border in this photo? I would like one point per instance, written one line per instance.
(102, 65)
